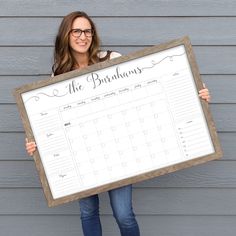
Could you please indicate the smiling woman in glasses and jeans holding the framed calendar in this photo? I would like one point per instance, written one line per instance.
(77, 46)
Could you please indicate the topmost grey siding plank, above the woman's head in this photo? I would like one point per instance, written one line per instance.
(119, 8)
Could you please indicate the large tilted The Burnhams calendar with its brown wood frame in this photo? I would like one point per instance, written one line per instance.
(118, 122)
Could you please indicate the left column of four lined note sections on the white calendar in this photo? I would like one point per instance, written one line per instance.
(53, 148)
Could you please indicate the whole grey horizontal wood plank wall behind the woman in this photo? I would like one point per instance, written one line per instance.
(199, 201)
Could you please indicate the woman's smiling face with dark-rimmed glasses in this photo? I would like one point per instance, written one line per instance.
(80, 44)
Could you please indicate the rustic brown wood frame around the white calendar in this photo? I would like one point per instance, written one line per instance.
(155, 49)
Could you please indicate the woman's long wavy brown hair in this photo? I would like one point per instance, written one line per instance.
(64, 61)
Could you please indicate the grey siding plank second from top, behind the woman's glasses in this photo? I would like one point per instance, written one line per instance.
(117, 31)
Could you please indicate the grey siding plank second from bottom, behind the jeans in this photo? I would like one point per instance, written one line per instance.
(147, 201)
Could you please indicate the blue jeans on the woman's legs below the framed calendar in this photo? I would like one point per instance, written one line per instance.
(121, 203)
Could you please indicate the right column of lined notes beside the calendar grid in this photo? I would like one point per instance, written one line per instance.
(187, 115)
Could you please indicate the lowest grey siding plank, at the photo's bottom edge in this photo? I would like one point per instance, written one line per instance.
(69, 225)
